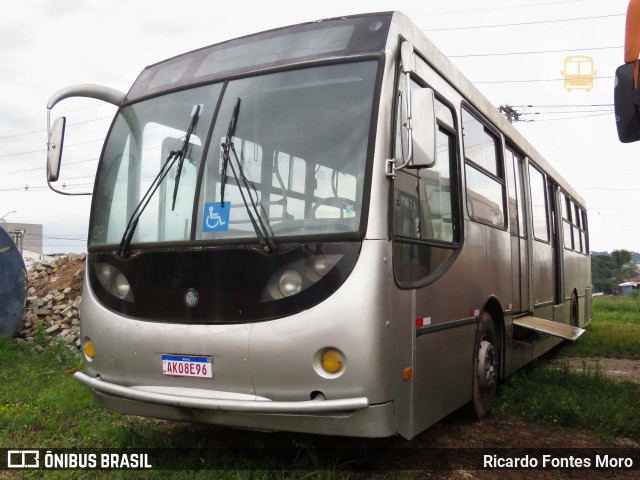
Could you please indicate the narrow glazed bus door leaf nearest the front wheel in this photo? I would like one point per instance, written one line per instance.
(514, 163)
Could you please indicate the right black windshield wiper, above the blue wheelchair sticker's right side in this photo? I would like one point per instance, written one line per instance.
(261, 229)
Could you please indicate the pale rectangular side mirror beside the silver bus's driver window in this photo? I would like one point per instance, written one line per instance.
(424, 128)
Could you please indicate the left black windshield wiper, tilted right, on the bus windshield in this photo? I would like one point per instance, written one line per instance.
(173, 156)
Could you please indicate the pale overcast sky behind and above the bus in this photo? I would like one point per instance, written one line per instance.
(512, 49)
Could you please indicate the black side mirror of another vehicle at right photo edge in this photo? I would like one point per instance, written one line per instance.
(626, 99)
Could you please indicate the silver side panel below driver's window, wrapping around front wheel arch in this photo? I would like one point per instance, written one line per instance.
(444, 352)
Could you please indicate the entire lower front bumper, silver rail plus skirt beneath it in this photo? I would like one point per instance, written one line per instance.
(350, 416)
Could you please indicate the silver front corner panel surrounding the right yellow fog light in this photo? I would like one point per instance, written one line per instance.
(284, 354)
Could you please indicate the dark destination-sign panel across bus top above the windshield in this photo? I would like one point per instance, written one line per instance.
(296, 44)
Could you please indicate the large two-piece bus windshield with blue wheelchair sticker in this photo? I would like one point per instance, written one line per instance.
(296, 162)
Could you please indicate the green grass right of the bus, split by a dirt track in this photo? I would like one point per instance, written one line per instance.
(588, 399)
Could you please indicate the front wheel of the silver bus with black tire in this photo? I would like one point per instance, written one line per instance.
(486, 366)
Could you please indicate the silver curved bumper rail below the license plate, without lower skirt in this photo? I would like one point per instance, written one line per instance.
(203, 399)
